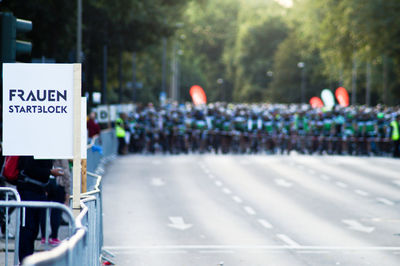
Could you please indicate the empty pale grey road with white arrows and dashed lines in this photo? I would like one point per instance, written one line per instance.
(251, 210)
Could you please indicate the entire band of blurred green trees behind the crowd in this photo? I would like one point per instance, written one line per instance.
(234, 42)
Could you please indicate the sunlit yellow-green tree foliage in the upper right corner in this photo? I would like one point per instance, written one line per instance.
(343, 29)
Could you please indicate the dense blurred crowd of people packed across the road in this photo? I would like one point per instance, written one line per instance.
(267, 128)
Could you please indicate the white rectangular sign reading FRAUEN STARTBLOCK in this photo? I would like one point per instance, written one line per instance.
(38, 110)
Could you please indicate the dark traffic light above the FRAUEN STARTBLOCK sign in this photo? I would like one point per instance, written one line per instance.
(11, 47)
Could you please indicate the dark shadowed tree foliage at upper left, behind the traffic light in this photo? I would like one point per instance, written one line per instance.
(122, 25)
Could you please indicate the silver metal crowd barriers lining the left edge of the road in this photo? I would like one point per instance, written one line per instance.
(85, 241)
